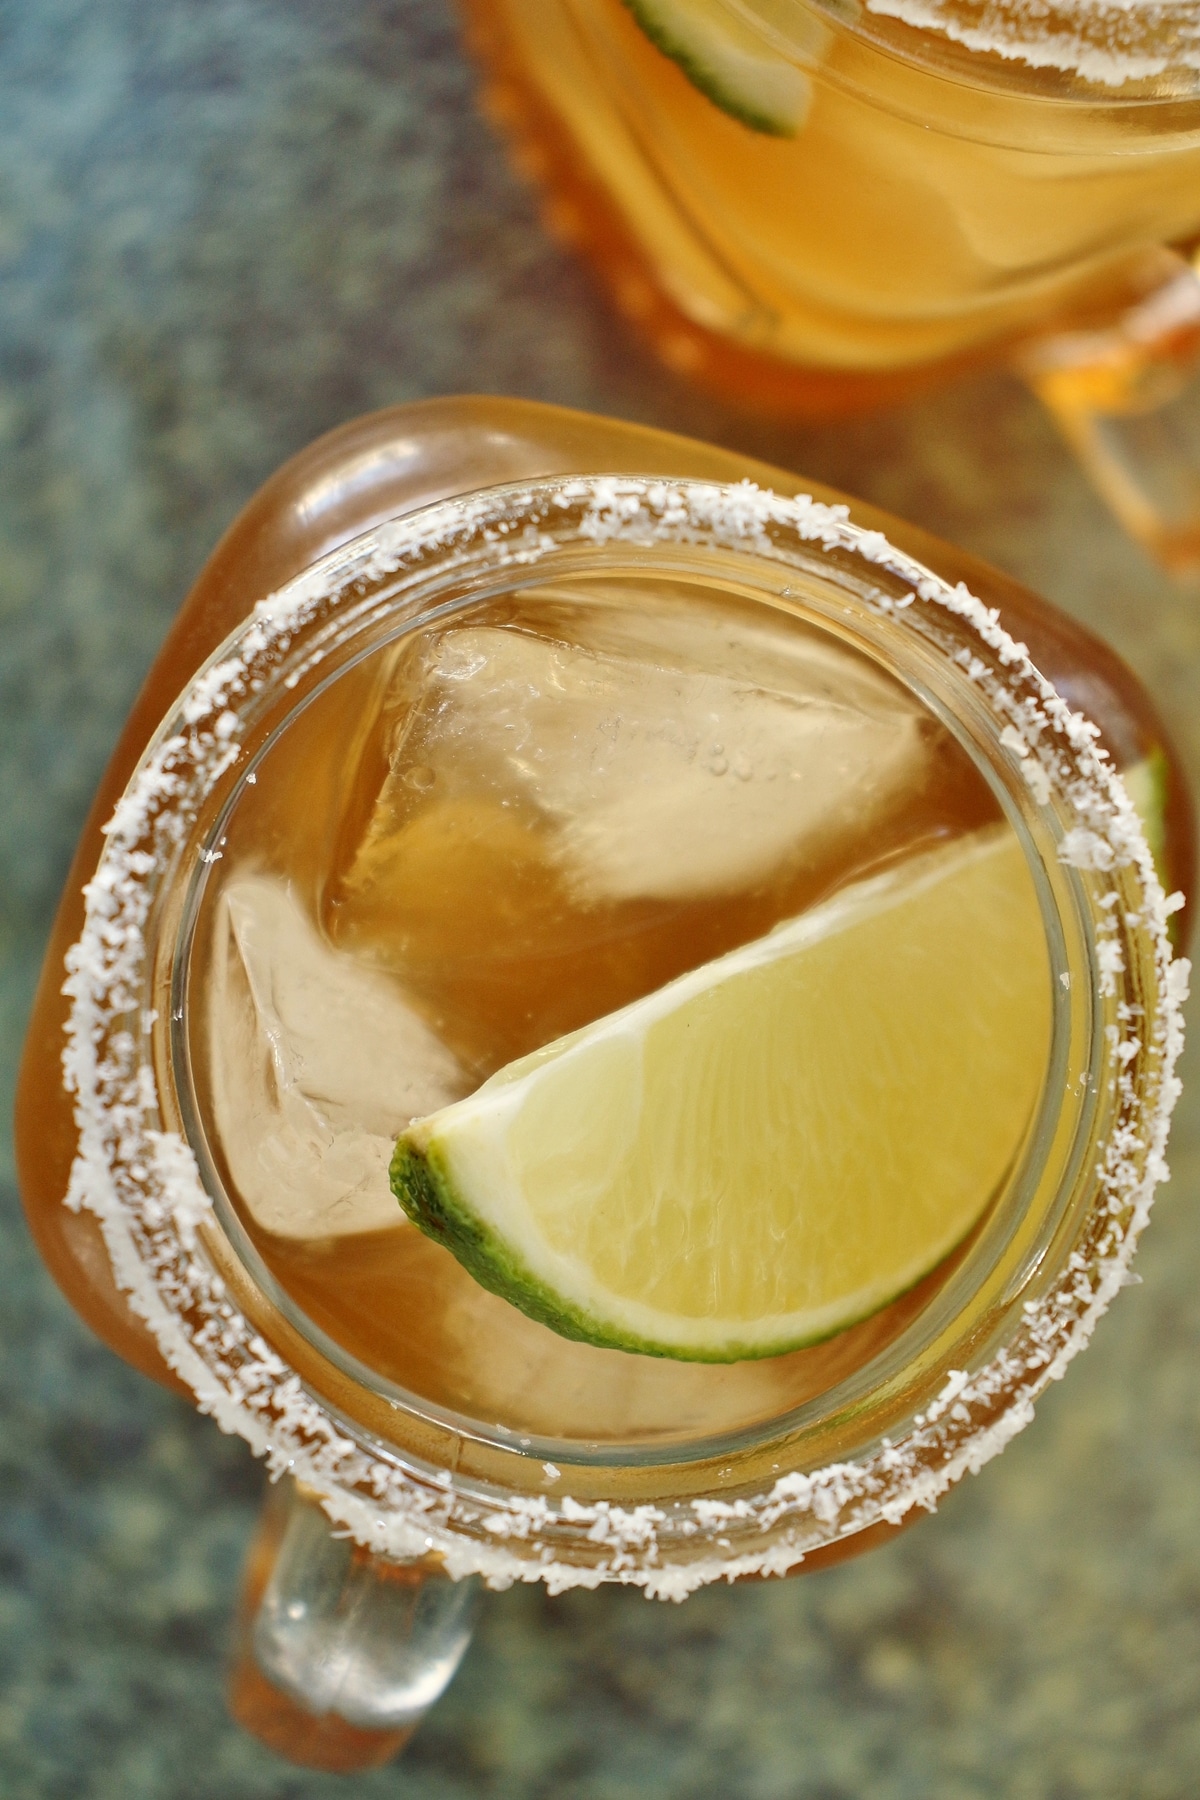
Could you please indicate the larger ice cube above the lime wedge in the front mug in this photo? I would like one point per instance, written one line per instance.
(640, 775)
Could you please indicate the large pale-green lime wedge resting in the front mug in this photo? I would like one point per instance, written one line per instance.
(776, 1144)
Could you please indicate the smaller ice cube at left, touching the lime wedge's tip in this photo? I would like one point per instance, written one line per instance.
(316, 1065)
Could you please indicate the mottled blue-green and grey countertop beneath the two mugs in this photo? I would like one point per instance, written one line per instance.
(226, 226)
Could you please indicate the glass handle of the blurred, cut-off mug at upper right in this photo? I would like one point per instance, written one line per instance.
(1127, 399)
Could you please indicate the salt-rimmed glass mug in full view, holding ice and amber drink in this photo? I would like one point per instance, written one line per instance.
(422, 1430)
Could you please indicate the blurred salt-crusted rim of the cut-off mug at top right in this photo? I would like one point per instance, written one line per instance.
(1109, 42)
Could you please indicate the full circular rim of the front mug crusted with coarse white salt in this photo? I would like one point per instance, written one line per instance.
(143, 1182)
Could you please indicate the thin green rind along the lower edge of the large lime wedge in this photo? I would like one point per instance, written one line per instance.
(425, 1192)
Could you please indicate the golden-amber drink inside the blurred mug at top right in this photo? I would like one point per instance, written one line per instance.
(810, 197)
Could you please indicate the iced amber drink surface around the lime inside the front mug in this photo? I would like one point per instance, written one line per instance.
(488, 838)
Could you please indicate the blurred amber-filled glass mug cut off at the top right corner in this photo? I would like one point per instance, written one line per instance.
(821, 204)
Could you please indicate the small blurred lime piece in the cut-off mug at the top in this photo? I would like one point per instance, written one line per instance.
(730, 62)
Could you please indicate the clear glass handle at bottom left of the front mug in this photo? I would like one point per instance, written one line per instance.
(339, 1651)
